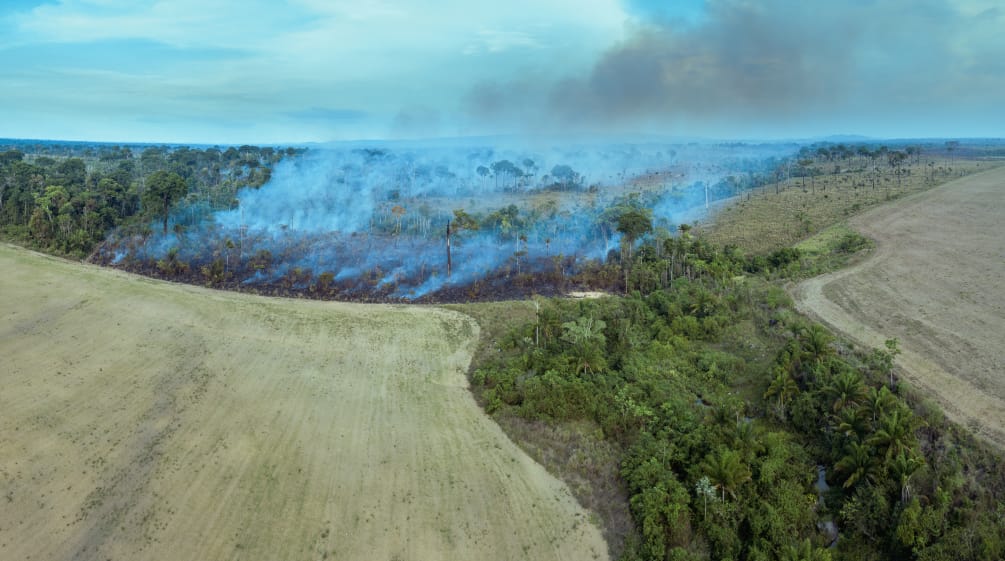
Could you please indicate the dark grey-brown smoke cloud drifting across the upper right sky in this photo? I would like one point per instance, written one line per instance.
(776, 65)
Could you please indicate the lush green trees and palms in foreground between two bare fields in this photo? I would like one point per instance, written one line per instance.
(743, 431)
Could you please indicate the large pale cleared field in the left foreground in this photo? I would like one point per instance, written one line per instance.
(146, 421)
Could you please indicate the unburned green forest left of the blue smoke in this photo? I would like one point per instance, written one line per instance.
(66, 199)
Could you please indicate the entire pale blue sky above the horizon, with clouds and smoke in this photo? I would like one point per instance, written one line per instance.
(256, 72)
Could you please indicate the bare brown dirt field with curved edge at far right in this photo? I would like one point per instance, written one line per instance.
(937, 283)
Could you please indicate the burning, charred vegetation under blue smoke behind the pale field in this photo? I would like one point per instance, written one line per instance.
(440, 225)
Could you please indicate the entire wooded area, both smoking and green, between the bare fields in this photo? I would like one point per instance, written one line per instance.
(724, 425)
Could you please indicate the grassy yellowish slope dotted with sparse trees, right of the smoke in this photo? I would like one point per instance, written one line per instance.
(771, 219)
